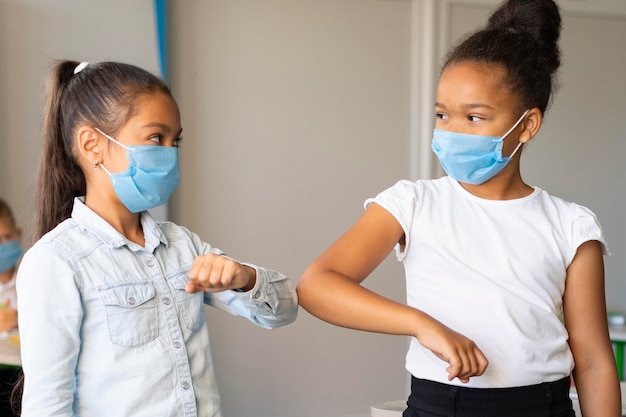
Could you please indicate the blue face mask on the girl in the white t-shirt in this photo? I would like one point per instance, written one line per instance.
(472, 159)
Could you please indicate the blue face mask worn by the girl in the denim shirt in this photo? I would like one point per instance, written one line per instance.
(151, 176)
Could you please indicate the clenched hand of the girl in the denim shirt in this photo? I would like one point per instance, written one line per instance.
(215, 273)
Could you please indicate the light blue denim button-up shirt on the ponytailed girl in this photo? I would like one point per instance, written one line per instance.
(108, 330)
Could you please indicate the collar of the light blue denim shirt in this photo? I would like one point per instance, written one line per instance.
(89, 220)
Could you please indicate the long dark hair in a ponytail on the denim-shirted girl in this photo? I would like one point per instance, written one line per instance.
(100, 95)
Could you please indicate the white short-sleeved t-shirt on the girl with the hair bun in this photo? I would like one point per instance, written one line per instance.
(492, 270)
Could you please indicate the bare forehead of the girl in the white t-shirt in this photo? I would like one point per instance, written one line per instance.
(469, 83)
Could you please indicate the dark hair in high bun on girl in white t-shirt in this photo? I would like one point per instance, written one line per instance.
(522, 36)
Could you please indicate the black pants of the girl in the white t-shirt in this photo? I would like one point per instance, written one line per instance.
(433, 399)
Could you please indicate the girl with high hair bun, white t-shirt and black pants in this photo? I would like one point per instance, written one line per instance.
(505, 283)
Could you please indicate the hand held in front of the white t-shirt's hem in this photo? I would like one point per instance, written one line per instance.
(465, 358)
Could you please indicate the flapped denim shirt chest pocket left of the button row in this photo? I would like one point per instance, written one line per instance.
(131, 312)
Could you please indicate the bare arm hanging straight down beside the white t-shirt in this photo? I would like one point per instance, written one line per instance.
(595, 372)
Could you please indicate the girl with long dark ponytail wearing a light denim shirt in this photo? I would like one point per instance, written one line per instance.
(111, 302)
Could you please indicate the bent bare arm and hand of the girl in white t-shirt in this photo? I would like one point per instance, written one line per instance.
(330, 290)
